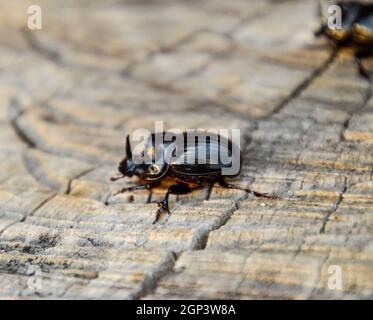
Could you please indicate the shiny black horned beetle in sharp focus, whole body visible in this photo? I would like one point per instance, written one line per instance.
(179, 177)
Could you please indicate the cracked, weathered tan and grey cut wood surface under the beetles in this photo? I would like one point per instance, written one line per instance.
(98, 70)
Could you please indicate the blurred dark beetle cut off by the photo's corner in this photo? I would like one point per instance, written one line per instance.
(356, 30)
